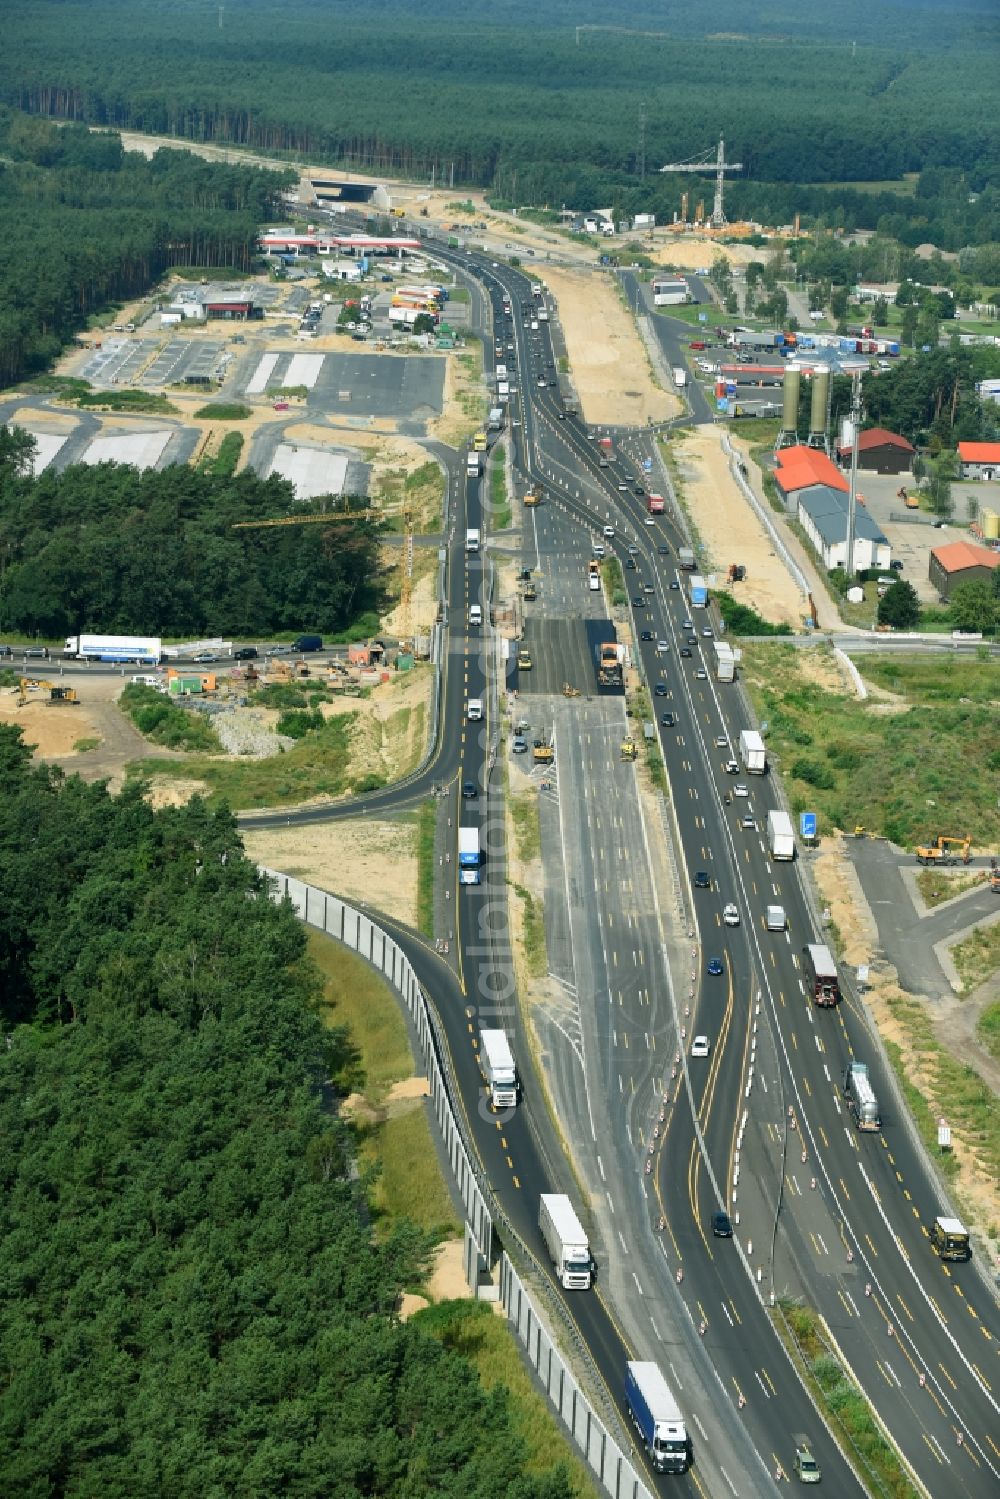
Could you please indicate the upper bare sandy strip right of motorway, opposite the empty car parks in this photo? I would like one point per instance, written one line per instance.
(608, 361)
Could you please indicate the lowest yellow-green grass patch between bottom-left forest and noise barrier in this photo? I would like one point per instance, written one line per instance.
(473, 1330)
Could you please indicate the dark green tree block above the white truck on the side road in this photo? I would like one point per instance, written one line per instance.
(109, 549)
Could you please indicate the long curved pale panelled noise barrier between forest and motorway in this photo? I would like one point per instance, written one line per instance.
(590, 1434)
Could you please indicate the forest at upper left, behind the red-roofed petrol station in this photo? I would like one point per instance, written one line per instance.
(88, 224)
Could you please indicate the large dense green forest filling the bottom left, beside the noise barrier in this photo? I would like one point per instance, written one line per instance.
(191, 1299)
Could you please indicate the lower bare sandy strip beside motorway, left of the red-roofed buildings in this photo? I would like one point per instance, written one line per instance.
(731, 530)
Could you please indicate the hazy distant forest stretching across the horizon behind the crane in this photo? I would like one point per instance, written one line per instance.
(546, 110)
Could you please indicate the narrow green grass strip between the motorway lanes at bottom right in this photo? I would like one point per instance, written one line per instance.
(846, 1408)
